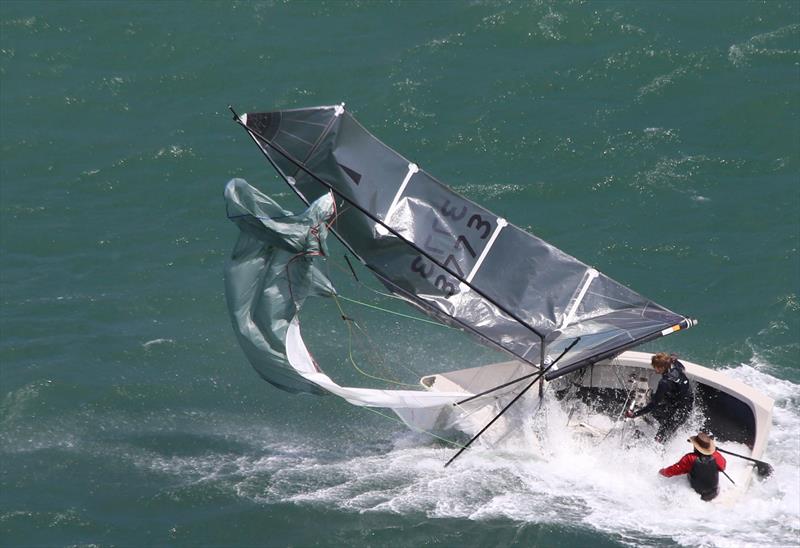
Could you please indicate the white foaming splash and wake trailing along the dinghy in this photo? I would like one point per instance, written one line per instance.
(576, 482)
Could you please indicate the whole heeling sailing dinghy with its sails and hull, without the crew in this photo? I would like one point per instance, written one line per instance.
(563, 324)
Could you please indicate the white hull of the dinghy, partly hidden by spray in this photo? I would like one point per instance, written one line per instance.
(738, 415)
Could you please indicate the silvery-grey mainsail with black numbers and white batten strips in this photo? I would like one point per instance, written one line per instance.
(455, 260)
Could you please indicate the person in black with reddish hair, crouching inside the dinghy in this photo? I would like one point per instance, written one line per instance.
(673, 401)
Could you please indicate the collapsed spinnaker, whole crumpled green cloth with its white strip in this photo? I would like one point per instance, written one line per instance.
(269, 276)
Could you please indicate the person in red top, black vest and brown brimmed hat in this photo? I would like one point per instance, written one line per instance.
(703, 466)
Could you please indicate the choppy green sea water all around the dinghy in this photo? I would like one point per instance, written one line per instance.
(658, 142)
